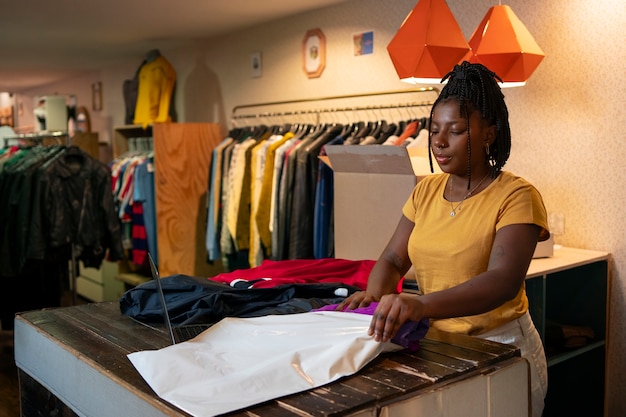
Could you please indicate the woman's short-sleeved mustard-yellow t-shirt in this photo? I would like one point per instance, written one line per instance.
(447, 251)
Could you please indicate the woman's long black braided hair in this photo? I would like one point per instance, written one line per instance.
(476, 88)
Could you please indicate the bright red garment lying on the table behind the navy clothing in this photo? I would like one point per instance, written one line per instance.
(304, 271)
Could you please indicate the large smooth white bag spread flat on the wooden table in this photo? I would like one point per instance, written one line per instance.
(240, 362)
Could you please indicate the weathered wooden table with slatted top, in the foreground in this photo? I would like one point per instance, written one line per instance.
(73, 360)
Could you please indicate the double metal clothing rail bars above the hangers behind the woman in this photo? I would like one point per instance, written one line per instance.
(317, 111)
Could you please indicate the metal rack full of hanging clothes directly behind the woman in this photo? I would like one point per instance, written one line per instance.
(300, 129)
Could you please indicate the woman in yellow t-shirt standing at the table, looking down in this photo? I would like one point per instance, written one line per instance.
(469, 233)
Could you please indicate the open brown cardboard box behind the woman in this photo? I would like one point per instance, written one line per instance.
(372, 183)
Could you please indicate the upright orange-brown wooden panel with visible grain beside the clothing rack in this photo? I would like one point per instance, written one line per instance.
(182, 153)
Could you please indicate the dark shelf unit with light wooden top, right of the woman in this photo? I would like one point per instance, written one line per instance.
(571, 288)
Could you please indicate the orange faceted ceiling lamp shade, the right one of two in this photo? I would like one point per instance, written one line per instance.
(503, 44)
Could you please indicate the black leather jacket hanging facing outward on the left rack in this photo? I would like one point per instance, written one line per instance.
(76, 207)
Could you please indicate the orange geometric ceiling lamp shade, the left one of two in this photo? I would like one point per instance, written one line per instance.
(428, 44)
